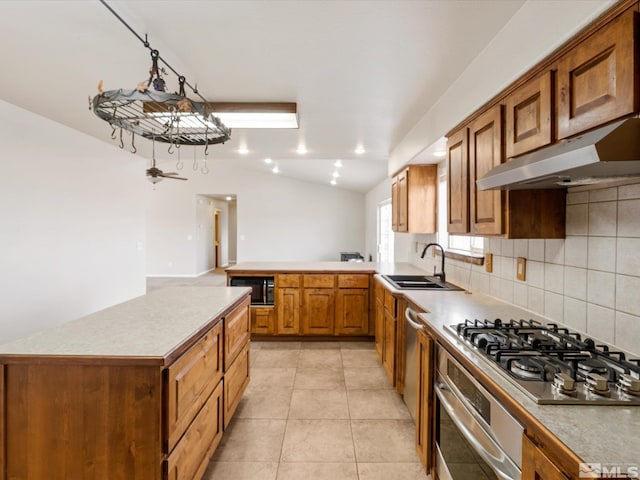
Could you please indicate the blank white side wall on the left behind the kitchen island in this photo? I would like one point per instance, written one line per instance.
(72, 223)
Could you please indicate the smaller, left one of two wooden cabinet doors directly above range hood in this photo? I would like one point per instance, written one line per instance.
(529, 116)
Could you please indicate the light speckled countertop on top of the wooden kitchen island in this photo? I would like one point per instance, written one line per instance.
(152, 325)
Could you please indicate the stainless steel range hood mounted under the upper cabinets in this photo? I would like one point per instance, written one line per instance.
(606, 154)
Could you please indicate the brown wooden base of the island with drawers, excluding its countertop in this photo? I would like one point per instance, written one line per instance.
(118, 418)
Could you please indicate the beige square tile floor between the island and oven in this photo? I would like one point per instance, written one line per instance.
(317, 411)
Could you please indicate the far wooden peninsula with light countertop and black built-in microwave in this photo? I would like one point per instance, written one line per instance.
(314, 299)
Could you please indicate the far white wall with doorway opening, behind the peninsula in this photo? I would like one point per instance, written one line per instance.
(278, 219)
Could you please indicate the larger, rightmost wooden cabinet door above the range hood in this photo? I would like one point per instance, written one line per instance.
(596, 81)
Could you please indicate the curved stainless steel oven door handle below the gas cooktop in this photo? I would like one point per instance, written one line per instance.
(486, 446)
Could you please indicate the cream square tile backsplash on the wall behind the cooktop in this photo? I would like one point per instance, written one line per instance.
(590, 281)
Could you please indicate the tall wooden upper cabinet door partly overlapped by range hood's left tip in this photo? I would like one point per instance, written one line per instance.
(485, 153)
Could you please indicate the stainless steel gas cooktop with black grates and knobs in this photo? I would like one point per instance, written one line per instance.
(554, 365)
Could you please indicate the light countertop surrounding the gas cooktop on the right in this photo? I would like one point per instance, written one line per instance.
(597, 434)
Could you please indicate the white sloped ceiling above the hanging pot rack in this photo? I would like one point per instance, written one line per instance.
(362, 72)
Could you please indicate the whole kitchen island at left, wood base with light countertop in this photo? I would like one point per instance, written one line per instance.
(139, 390)
